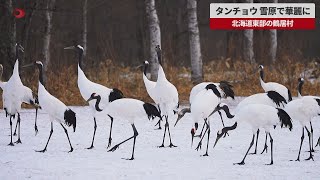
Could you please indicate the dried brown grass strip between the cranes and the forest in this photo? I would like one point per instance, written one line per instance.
(243, 76)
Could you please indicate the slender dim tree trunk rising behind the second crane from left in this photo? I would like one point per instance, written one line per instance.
(47, 36)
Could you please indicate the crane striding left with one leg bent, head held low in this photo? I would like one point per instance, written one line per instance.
(129, 109)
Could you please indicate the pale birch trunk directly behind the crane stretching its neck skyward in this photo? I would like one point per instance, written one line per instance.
(155, 36)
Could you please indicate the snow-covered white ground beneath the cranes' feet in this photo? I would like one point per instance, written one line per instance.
(151, 162)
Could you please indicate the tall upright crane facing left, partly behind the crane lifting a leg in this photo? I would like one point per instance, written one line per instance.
(88, 87)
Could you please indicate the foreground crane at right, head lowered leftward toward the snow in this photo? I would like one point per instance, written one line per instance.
(258, 116)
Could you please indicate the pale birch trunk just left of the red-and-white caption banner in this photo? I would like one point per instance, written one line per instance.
(194, 41)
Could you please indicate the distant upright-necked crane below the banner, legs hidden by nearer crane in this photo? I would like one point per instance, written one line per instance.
(273, 86)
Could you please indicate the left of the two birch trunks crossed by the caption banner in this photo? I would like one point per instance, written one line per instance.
(248, 43)
